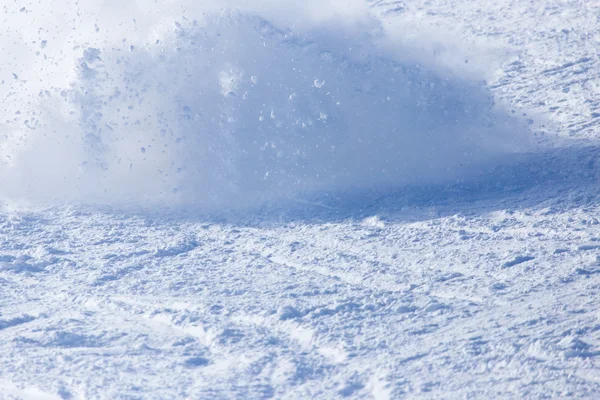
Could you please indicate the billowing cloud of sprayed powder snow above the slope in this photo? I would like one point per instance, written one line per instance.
(231, 109)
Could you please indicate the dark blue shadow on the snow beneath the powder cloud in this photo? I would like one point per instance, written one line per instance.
(557, 179)
